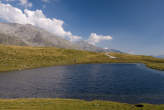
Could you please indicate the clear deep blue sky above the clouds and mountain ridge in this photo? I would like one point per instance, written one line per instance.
(136, 26)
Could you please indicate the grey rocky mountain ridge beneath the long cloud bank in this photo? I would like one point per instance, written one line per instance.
(29, 35)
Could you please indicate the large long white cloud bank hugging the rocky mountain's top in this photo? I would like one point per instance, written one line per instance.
(36, 18)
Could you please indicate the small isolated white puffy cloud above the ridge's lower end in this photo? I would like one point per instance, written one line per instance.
(94, 38)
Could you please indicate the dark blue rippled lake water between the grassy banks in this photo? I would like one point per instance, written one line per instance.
(130, 83)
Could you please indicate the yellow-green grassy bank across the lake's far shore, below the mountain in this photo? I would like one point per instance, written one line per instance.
(19, 58)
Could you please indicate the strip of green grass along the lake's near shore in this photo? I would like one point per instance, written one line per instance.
(68, 104)
